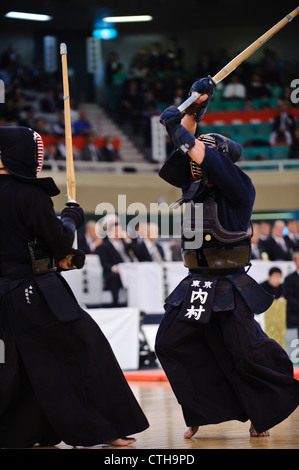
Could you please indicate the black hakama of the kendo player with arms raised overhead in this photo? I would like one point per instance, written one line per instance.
(225, 369)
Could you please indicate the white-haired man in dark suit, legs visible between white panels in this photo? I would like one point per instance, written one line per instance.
(116, 248)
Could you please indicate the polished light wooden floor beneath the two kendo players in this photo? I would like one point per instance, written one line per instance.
(167, 426)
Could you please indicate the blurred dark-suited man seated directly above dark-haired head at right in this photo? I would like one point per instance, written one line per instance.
(275, 246)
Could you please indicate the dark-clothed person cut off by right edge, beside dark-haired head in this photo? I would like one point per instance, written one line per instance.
(291, 293)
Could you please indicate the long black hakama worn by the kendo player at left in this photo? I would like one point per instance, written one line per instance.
(60, 380)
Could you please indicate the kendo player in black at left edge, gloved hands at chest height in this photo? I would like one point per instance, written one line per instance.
(60, 380)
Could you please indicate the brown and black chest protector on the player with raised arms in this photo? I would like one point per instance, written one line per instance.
(220, 249)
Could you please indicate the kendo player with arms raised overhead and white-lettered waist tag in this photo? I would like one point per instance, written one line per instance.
(219, 362)
